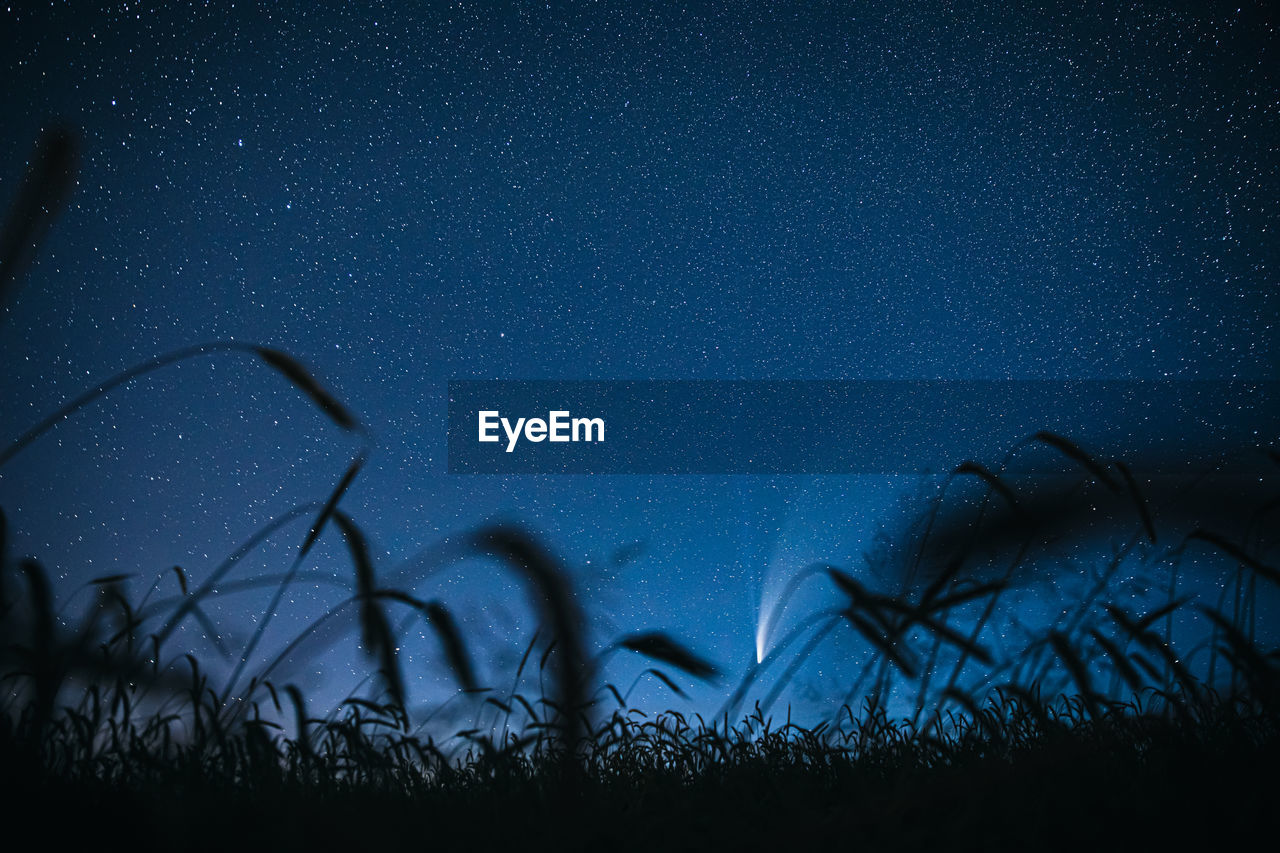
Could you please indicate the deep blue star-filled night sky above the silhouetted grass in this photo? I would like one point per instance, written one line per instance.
(405, 194)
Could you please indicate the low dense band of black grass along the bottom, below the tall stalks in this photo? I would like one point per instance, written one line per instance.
(1025, 777)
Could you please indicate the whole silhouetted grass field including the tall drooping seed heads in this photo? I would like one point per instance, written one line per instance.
(1095, 729)
